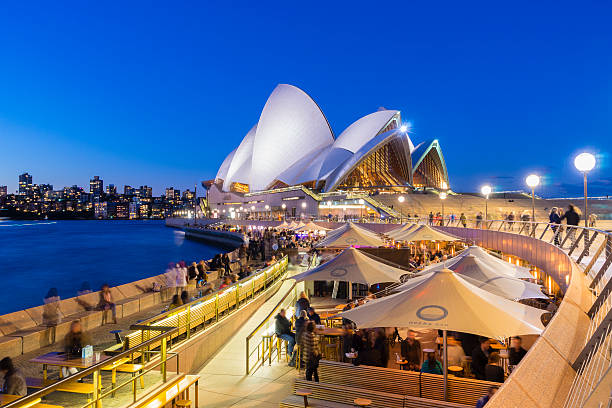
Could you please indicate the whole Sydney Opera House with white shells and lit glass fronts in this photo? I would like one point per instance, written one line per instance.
(293, 148)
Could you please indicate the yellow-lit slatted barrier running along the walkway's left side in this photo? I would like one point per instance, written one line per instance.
(188, 316)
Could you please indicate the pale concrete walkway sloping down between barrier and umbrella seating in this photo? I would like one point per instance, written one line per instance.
(224, 383)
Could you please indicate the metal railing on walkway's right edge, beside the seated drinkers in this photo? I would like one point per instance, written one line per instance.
(261, 343)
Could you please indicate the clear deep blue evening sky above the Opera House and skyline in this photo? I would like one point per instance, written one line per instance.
(158, 93)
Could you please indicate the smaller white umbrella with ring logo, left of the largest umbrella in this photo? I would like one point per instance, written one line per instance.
(352, 265)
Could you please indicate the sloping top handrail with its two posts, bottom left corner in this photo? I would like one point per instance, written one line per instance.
(95, 370)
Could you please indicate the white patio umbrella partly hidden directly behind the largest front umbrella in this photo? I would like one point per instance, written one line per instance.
(483, 276)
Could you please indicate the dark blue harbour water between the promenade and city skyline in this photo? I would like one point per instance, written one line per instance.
(38, 255)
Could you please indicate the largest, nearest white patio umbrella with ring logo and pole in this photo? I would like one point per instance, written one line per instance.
(445, 301)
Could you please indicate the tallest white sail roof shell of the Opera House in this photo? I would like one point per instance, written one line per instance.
(290, 127)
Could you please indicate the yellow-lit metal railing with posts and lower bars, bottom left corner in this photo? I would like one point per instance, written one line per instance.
(95, 371)
